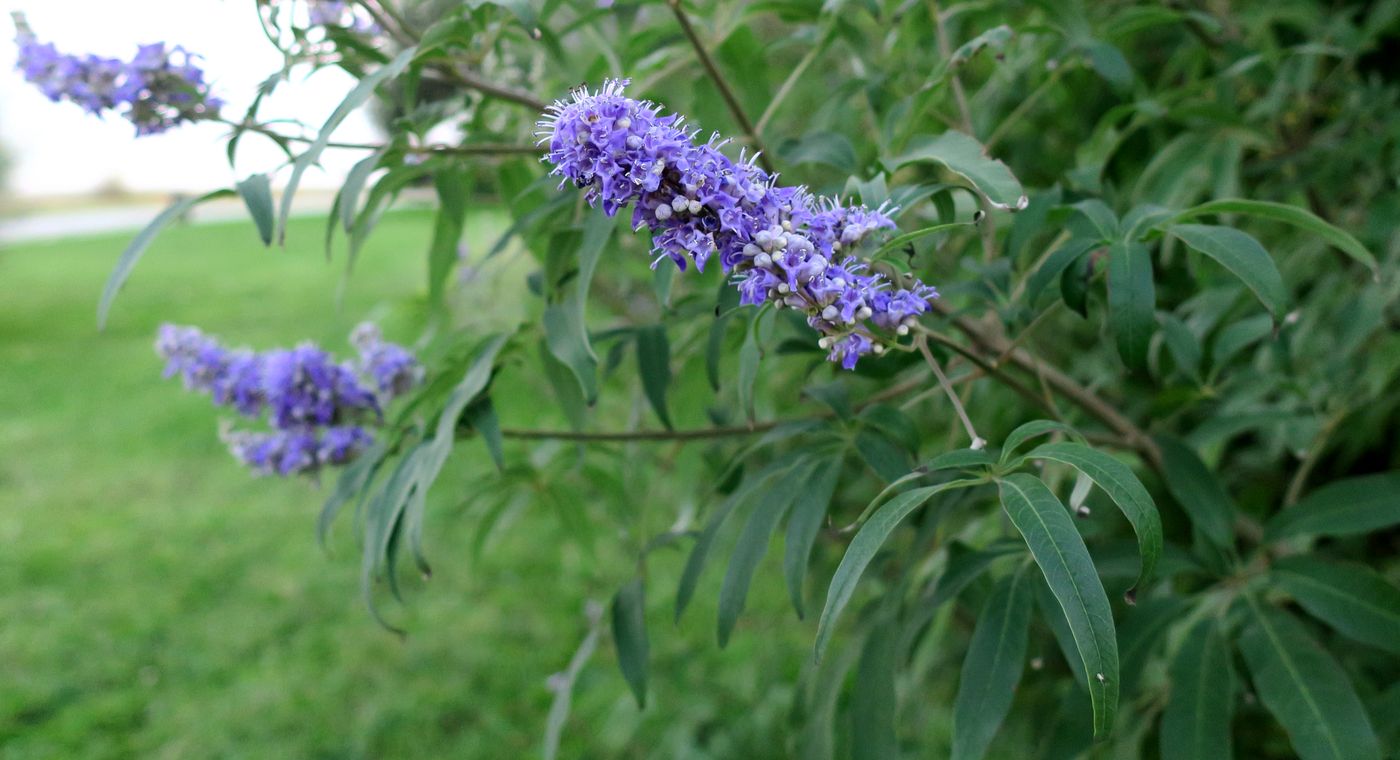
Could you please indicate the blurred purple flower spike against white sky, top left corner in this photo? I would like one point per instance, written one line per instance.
(159, 89)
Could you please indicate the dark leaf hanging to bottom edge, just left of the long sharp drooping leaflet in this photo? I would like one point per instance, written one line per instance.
(993, 667)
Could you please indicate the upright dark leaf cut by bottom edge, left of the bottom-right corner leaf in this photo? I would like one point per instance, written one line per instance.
(1198, 716)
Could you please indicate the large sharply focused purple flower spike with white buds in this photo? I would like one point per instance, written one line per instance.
(783, 246)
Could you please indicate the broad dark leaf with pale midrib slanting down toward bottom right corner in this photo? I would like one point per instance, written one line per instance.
(1305, 689)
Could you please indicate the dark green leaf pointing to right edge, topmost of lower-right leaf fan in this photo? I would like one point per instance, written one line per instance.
(1342, 509)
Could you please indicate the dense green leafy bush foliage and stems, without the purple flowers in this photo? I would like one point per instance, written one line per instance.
(1164, 239)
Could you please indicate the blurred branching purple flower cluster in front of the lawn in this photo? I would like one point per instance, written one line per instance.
(316, 405)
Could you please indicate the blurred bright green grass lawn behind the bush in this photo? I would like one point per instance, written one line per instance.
(159, 603)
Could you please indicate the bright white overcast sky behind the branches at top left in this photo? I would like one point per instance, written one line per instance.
(61, 150)
